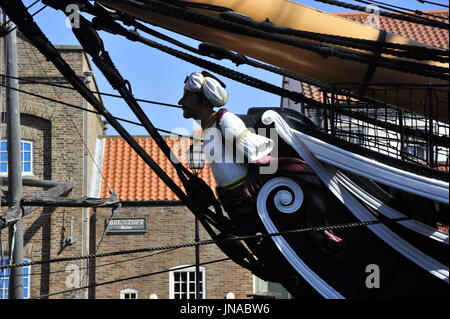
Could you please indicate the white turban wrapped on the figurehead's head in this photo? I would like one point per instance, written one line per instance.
(210, 87)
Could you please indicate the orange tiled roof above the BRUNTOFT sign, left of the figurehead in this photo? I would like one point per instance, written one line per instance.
(128, 175)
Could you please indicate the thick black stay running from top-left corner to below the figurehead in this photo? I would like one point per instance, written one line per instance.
(237, 252)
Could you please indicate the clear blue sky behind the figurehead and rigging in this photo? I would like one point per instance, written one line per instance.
(157, 76)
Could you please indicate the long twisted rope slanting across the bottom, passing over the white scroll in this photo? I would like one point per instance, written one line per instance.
(209, 242)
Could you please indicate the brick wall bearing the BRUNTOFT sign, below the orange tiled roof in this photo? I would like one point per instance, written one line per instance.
(166, 225)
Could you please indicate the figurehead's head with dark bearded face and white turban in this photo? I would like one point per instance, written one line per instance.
(202, 92)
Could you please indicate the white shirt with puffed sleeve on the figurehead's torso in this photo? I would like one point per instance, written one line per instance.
(229, 170)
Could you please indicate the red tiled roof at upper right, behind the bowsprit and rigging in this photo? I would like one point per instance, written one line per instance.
(429, 35)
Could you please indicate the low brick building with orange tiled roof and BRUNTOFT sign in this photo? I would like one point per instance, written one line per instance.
(168, 222)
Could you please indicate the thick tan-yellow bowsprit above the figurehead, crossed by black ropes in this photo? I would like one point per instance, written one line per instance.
(286, 13)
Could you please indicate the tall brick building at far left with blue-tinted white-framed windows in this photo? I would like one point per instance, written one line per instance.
(52, 150)
